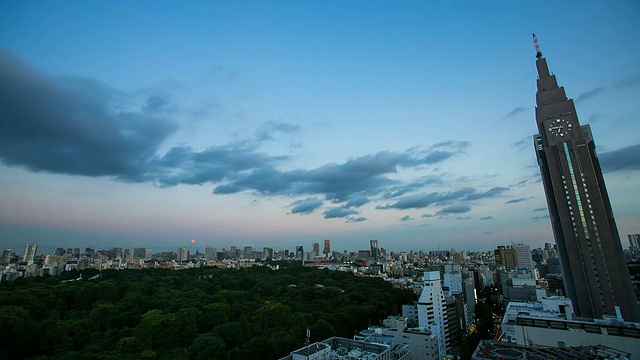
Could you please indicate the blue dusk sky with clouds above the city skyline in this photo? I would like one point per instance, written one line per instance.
(284, 123)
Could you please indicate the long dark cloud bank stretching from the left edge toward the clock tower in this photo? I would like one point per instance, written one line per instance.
(79, 126)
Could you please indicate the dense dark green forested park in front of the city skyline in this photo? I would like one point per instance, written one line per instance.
(204, 313)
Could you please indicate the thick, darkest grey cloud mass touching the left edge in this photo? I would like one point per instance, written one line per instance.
(73, 126)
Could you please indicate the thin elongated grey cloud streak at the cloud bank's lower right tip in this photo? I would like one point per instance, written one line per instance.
(440, 198)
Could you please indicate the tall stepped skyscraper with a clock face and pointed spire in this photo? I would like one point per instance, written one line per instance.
(595, 272)
